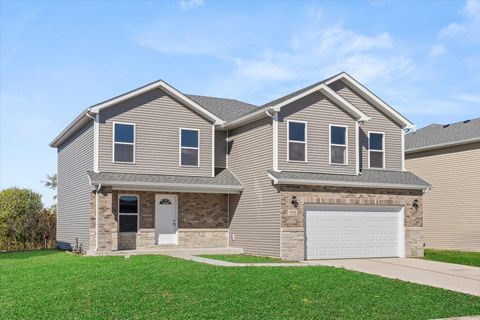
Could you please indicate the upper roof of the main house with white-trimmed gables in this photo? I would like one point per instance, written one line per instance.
(231, 113)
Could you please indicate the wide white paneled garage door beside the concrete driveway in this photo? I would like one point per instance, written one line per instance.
(334, 232)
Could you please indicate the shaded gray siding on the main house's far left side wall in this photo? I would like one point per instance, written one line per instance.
(75, 158)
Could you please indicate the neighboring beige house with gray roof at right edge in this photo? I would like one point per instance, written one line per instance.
(448, 156)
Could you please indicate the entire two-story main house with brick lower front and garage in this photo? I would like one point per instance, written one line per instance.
(316, 174)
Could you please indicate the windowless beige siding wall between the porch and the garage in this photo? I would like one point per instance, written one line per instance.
(255, 214)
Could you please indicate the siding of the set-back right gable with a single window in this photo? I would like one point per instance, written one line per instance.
(380, 123)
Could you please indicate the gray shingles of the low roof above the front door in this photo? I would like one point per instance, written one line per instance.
(223, 178)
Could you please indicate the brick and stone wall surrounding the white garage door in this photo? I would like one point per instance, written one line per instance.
(292, 225)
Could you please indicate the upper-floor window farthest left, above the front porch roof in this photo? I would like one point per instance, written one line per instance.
(123, 142)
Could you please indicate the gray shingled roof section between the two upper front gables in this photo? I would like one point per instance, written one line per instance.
(226, 109)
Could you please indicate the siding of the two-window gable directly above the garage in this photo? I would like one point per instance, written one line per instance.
(319, 112)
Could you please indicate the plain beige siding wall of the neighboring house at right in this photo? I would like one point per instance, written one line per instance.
(451, 209)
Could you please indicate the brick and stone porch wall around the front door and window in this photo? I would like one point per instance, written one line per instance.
(202, 221)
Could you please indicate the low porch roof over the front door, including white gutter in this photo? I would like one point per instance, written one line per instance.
(223, 181)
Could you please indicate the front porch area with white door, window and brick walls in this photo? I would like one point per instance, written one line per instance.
(151, 221)
